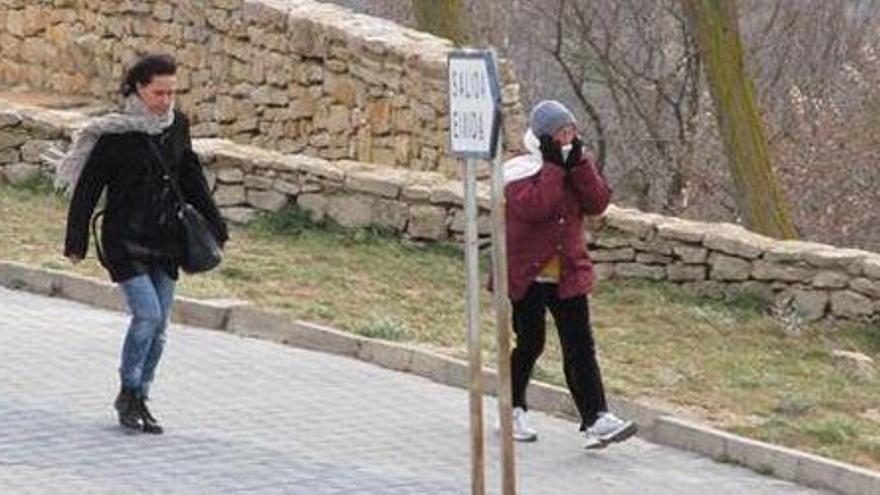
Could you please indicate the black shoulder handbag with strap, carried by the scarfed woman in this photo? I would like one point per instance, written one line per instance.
(199, 248)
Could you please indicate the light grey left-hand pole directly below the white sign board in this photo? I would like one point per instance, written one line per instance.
(475, 385)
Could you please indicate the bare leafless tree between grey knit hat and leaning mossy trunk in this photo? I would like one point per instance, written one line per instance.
(633, 68)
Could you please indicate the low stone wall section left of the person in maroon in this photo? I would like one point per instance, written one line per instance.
(246, 179)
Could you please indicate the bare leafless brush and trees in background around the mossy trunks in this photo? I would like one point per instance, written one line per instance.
(821, 113)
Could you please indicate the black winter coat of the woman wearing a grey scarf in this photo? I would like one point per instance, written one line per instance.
(132, 237)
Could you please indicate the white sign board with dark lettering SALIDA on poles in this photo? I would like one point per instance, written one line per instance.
(474, 104)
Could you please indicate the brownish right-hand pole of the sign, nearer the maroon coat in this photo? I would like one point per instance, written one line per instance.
(502, 322)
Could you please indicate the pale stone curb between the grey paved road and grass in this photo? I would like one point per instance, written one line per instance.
(241, 318)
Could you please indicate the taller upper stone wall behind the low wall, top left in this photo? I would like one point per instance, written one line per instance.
(297, 76)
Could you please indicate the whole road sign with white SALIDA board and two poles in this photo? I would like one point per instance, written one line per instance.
(474, 133)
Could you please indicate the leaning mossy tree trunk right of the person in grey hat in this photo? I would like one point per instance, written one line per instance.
(760, 201)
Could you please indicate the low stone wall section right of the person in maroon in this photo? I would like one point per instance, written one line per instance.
(815, 280)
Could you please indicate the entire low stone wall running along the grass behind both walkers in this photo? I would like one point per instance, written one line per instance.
(814, 280)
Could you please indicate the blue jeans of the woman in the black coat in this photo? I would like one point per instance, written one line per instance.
(149, 296)
